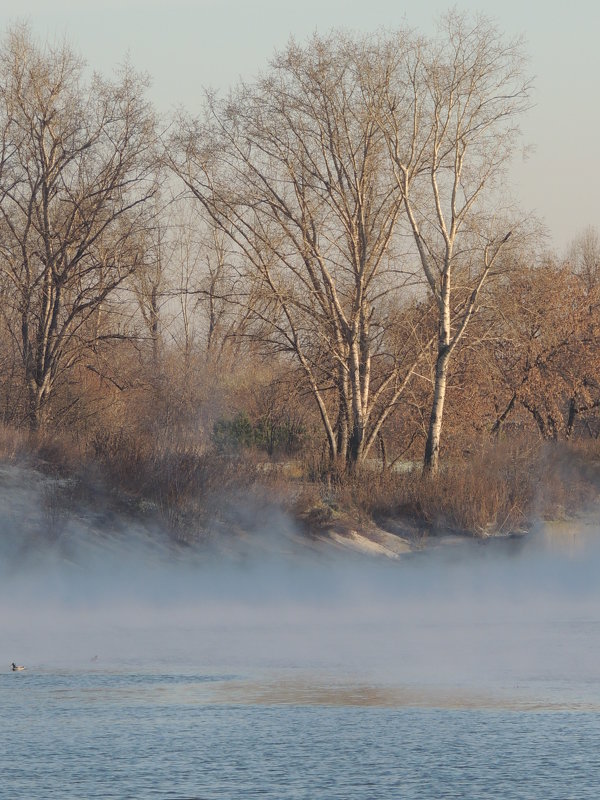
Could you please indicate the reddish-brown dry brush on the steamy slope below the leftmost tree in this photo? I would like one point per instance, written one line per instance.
(181, 488)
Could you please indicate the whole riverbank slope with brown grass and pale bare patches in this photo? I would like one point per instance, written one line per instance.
(238, 506)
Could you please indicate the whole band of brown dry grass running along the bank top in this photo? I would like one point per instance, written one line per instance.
(502, 488)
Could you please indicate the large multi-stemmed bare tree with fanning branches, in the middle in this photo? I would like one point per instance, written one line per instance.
(295, 171)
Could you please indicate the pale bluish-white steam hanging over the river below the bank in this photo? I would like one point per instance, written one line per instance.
(501, 617)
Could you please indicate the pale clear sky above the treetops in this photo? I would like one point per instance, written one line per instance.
(186, 45)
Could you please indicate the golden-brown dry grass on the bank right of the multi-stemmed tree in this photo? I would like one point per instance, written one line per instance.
(503, 488)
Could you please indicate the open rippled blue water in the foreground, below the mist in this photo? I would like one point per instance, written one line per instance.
(122, 734)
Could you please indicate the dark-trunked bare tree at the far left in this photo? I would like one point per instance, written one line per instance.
(76, 167)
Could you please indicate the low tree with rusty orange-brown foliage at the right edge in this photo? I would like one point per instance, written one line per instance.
(545, 353)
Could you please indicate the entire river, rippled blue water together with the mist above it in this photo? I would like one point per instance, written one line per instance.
(268, 664)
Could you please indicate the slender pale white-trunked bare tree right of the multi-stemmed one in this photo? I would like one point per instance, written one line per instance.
(450, 124)
